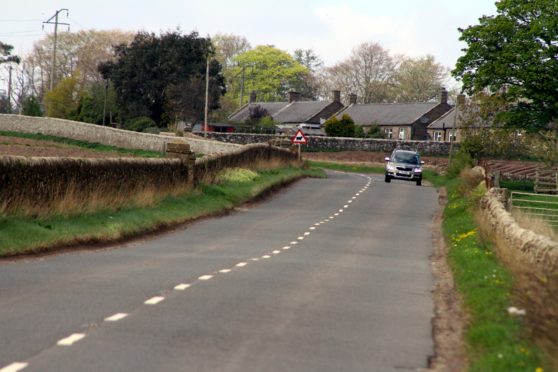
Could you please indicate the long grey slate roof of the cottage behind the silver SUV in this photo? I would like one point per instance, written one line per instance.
(387, 113)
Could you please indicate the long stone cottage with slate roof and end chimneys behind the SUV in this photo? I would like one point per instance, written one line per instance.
(399, 121)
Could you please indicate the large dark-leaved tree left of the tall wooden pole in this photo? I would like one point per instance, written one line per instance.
(149, 74)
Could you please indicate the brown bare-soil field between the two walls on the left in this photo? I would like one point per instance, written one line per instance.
(15, 146)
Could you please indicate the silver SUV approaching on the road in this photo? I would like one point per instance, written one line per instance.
(404, 165)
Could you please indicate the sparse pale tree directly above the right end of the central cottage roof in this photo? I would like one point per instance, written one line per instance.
(419, 79)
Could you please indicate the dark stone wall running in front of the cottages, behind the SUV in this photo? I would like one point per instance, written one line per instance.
(343, 144)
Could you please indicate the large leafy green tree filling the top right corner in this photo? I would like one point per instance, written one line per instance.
(515, 53)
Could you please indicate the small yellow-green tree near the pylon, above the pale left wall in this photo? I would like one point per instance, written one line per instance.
(61, 101)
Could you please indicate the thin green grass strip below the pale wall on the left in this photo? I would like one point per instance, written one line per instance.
(83, 144)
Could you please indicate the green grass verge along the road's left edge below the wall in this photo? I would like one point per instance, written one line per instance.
(19, 235)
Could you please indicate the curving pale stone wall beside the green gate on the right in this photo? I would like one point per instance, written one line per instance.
(537, 250)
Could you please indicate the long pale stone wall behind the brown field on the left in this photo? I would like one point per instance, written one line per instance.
(105, 135)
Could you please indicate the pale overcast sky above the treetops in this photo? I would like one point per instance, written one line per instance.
(331, 28)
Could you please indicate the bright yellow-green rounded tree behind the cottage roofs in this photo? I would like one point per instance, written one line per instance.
(270, 71)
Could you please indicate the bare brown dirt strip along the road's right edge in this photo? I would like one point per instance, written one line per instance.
(448, 324)
